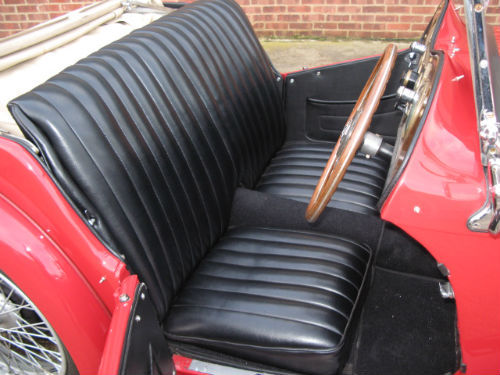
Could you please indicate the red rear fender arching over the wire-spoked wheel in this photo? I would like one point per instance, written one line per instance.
(42, 270)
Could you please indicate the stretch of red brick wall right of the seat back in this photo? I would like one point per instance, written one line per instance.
(400, 19)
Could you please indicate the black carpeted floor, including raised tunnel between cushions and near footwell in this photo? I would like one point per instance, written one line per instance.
(405, 325)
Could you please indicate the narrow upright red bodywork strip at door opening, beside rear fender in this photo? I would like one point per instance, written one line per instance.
(112, 354)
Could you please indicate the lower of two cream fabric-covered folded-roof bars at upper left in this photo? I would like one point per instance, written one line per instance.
(60, 40)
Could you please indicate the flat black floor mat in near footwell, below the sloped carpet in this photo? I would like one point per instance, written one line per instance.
(406, 328)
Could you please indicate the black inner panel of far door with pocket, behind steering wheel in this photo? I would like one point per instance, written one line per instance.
(318, 101)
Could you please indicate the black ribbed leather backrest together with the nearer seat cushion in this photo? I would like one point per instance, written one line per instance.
(150, 138)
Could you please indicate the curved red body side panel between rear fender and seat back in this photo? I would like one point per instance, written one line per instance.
(24, 182)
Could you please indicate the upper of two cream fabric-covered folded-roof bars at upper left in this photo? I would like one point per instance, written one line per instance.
(56, 27)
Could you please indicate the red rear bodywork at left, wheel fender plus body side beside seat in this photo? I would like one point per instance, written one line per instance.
(64, 284)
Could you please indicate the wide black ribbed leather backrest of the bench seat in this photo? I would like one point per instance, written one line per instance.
(151, 135)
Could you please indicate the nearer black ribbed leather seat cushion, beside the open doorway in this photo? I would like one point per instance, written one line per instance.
(277, 297)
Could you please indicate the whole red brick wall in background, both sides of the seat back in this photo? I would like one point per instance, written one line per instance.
(280, 18)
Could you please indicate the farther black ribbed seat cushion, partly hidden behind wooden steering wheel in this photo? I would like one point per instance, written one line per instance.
(296, 168)
